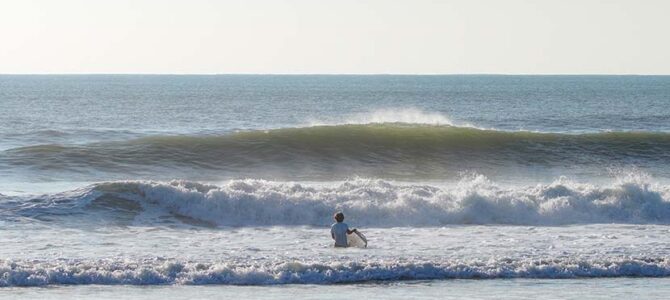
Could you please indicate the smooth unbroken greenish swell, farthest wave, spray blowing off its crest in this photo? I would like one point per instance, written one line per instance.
(372, 150)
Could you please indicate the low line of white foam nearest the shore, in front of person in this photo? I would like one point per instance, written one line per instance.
(152, 272)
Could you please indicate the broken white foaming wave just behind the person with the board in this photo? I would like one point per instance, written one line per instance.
(370, 203)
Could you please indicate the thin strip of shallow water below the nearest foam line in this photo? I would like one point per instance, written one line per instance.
(608, 288)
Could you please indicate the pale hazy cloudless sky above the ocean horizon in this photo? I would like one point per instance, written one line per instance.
(339, 36)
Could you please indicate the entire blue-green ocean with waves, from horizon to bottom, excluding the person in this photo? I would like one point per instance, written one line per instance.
(466, 186)
